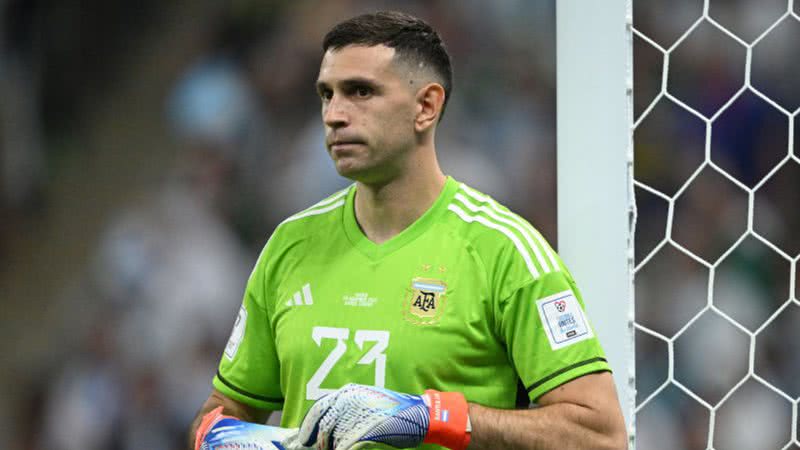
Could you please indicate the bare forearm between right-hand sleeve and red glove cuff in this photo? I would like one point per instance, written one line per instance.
(581, 414)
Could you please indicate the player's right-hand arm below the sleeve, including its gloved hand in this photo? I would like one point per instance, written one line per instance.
(582, 414)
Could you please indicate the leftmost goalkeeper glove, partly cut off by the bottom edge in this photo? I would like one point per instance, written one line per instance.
(218, 431)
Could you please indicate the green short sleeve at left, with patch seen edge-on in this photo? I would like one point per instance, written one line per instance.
(249, 370)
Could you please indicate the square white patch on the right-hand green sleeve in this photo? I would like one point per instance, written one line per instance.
(563, 320)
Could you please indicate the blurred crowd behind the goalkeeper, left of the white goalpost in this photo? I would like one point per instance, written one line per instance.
(154, 304)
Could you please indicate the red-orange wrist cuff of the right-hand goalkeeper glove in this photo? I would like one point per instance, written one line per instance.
(448, 420)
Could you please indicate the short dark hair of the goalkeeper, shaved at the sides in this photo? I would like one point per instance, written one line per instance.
(412, 38)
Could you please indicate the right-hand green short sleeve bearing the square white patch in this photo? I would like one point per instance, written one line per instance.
(548, 335)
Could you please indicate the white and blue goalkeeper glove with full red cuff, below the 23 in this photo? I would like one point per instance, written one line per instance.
(358, 414)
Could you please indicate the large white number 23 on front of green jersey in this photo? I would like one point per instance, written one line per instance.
(374, 355)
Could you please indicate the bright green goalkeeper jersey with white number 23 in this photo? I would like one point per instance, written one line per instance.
(469, 298)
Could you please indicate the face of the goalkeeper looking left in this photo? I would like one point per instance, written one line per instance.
(368, 107)
